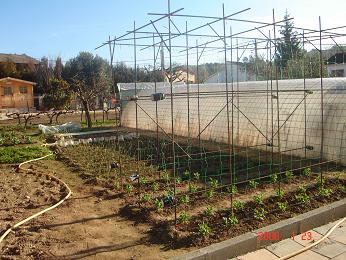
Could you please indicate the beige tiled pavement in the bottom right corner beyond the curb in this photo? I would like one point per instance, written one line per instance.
(334, 247)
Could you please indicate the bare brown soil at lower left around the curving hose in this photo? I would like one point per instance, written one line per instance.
(86, 226)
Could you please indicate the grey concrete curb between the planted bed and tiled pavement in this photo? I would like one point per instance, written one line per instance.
(248, 242)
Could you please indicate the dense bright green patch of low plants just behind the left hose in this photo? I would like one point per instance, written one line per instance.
(21, 153)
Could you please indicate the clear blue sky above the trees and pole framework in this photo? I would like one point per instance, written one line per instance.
(66, 27)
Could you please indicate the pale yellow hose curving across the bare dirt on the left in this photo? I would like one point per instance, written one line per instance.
(43, 211)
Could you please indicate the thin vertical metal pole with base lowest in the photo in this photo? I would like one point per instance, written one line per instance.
(172, 107)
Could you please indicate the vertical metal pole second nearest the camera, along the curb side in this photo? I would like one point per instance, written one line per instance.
(227, 105)
